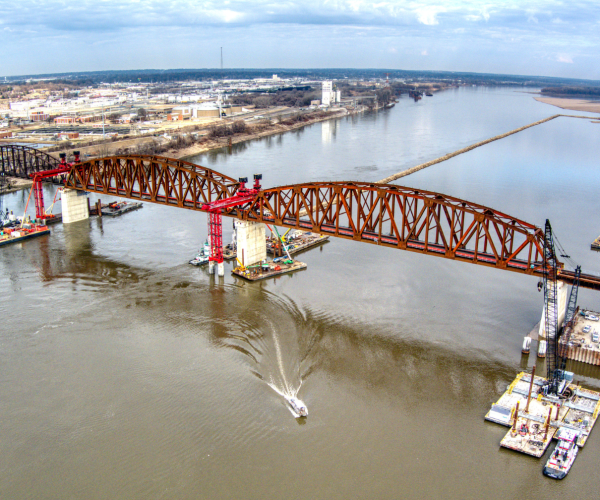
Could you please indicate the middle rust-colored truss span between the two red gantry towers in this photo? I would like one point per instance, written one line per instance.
(155, 179)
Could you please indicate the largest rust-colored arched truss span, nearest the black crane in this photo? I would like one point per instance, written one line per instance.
(404, 218)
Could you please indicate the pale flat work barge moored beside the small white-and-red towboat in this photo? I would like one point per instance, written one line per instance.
(534, 425)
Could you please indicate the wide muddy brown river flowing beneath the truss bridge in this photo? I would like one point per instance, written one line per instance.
(126, 373)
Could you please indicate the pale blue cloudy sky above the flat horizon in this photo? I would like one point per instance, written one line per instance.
(542, 37)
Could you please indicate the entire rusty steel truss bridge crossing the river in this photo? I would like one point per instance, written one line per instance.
(381, 214)
